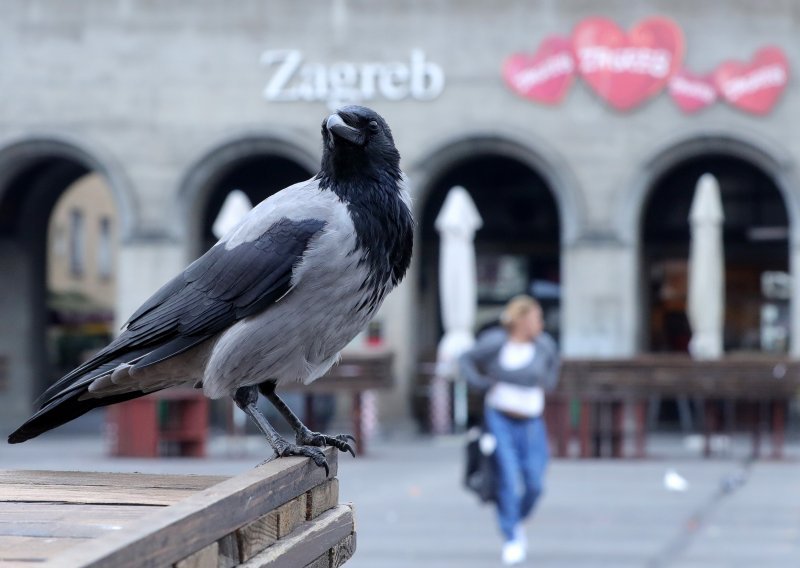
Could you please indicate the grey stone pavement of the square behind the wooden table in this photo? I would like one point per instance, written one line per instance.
(412, 512)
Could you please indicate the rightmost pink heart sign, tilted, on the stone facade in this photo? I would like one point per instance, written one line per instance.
(754, 87)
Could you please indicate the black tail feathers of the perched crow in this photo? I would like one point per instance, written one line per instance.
(61, 410)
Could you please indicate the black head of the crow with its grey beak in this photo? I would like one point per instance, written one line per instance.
(357, 143)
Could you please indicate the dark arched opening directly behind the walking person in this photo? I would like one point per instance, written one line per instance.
(517, 251)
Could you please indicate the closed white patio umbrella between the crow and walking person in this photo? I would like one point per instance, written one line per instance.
(456, 223)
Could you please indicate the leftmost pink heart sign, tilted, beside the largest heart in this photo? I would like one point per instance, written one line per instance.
(544, 76)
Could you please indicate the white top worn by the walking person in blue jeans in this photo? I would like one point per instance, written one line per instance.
(517, 399)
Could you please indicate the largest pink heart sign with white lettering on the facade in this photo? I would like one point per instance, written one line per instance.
(627, 69)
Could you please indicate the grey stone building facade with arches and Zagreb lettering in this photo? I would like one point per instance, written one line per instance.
(584, 190)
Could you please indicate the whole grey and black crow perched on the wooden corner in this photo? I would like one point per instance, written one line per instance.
(274, 301)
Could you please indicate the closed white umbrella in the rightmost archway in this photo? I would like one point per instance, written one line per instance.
(706, 287)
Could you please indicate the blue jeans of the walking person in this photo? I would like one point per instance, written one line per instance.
(521, 455)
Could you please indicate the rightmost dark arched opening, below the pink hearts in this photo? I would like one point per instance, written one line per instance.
(755, 240)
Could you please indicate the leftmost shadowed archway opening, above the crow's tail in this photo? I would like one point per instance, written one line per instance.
(36, 314)
